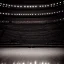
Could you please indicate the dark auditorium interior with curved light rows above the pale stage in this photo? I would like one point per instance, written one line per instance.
(32, 22)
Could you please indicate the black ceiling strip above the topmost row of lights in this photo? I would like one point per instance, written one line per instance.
(29, 1)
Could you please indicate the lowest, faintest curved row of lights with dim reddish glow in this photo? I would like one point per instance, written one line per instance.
(43, 21)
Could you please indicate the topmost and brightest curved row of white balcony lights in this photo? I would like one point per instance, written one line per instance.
(32, 6)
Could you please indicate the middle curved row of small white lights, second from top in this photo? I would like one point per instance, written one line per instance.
(31, 14)
